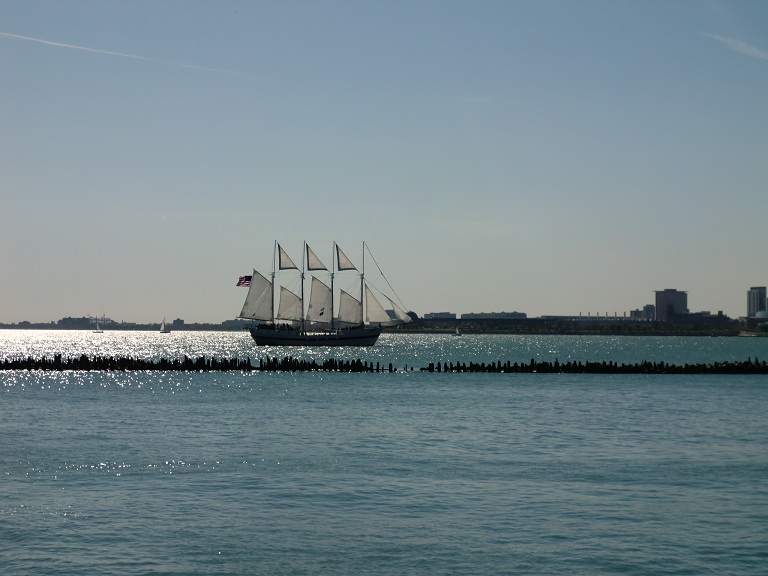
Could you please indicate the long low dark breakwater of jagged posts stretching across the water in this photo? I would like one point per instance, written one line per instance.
(290, 364)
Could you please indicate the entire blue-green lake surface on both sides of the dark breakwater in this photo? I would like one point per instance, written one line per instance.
(384, 473)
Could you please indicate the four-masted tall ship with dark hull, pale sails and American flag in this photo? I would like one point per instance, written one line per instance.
(330, 316)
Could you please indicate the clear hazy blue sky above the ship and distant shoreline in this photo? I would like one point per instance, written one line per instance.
(547, 157)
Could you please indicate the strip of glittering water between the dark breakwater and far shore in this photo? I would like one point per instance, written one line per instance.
(413, 350)
